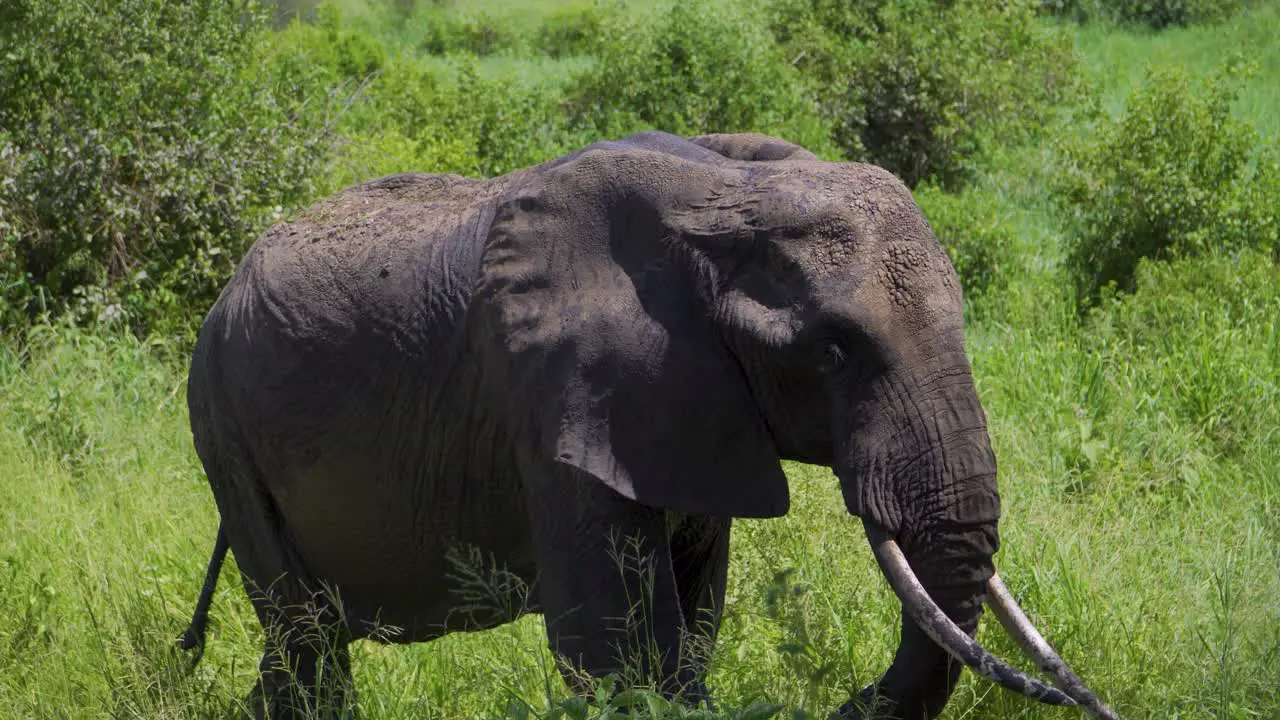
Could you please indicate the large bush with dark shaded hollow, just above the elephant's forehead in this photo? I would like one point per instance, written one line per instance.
(921, 86)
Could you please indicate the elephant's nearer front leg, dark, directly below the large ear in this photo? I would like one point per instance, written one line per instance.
(607, 587)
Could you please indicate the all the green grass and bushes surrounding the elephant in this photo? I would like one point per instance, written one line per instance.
(144, 144)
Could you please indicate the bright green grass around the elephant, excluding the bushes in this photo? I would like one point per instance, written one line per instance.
(1140, 455)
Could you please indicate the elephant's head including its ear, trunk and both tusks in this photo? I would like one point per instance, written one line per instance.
(685, 315)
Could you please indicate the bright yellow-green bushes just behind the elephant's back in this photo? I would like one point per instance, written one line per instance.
(409, 115)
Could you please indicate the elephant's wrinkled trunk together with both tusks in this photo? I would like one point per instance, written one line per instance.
(924, 479)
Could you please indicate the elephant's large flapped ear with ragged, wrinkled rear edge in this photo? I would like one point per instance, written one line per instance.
(607, 340)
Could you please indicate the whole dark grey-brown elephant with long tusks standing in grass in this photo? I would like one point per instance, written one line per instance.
(612, 349)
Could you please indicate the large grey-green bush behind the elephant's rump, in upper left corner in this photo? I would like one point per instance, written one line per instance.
(144, 152)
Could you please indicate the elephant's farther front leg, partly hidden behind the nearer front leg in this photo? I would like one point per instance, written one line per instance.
(700, 555)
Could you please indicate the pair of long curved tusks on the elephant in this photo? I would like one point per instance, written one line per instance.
(934, 622)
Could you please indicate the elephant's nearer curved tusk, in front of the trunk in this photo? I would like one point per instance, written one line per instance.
(943, 631)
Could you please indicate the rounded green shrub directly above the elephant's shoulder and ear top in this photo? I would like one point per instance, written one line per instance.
(694, 69)
